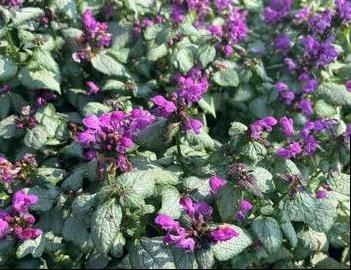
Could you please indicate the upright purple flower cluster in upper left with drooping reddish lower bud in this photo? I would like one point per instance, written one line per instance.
(95, 36)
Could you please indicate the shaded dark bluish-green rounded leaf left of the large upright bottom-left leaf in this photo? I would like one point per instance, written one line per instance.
(75, 230)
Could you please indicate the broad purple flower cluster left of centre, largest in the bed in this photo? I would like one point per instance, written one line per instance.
(112, 133)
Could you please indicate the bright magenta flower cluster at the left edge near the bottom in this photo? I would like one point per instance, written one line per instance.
(18, 221)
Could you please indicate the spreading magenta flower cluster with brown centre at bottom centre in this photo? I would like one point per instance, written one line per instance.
(197, 233)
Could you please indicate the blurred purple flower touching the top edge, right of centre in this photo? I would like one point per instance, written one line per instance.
(277, 11)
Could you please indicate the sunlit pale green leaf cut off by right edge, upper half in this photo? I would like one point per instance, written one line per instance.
(334, 93)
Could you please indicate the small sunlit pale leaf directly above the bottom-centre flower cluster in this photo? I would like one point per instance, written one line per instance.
(170, 202)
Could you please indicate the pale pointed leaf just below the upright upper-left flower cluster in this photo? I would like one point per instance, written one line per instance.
(108, 65)
